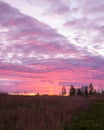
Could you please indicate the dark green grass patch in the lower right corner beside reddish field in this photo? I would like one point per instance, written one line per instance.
(93, 119)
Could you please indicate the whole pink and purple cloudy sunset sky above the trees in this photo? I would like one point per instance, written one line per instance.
(45, 44)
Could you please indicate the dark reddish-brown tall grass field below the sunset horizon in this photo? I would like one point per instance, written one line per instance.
(45, 112)
